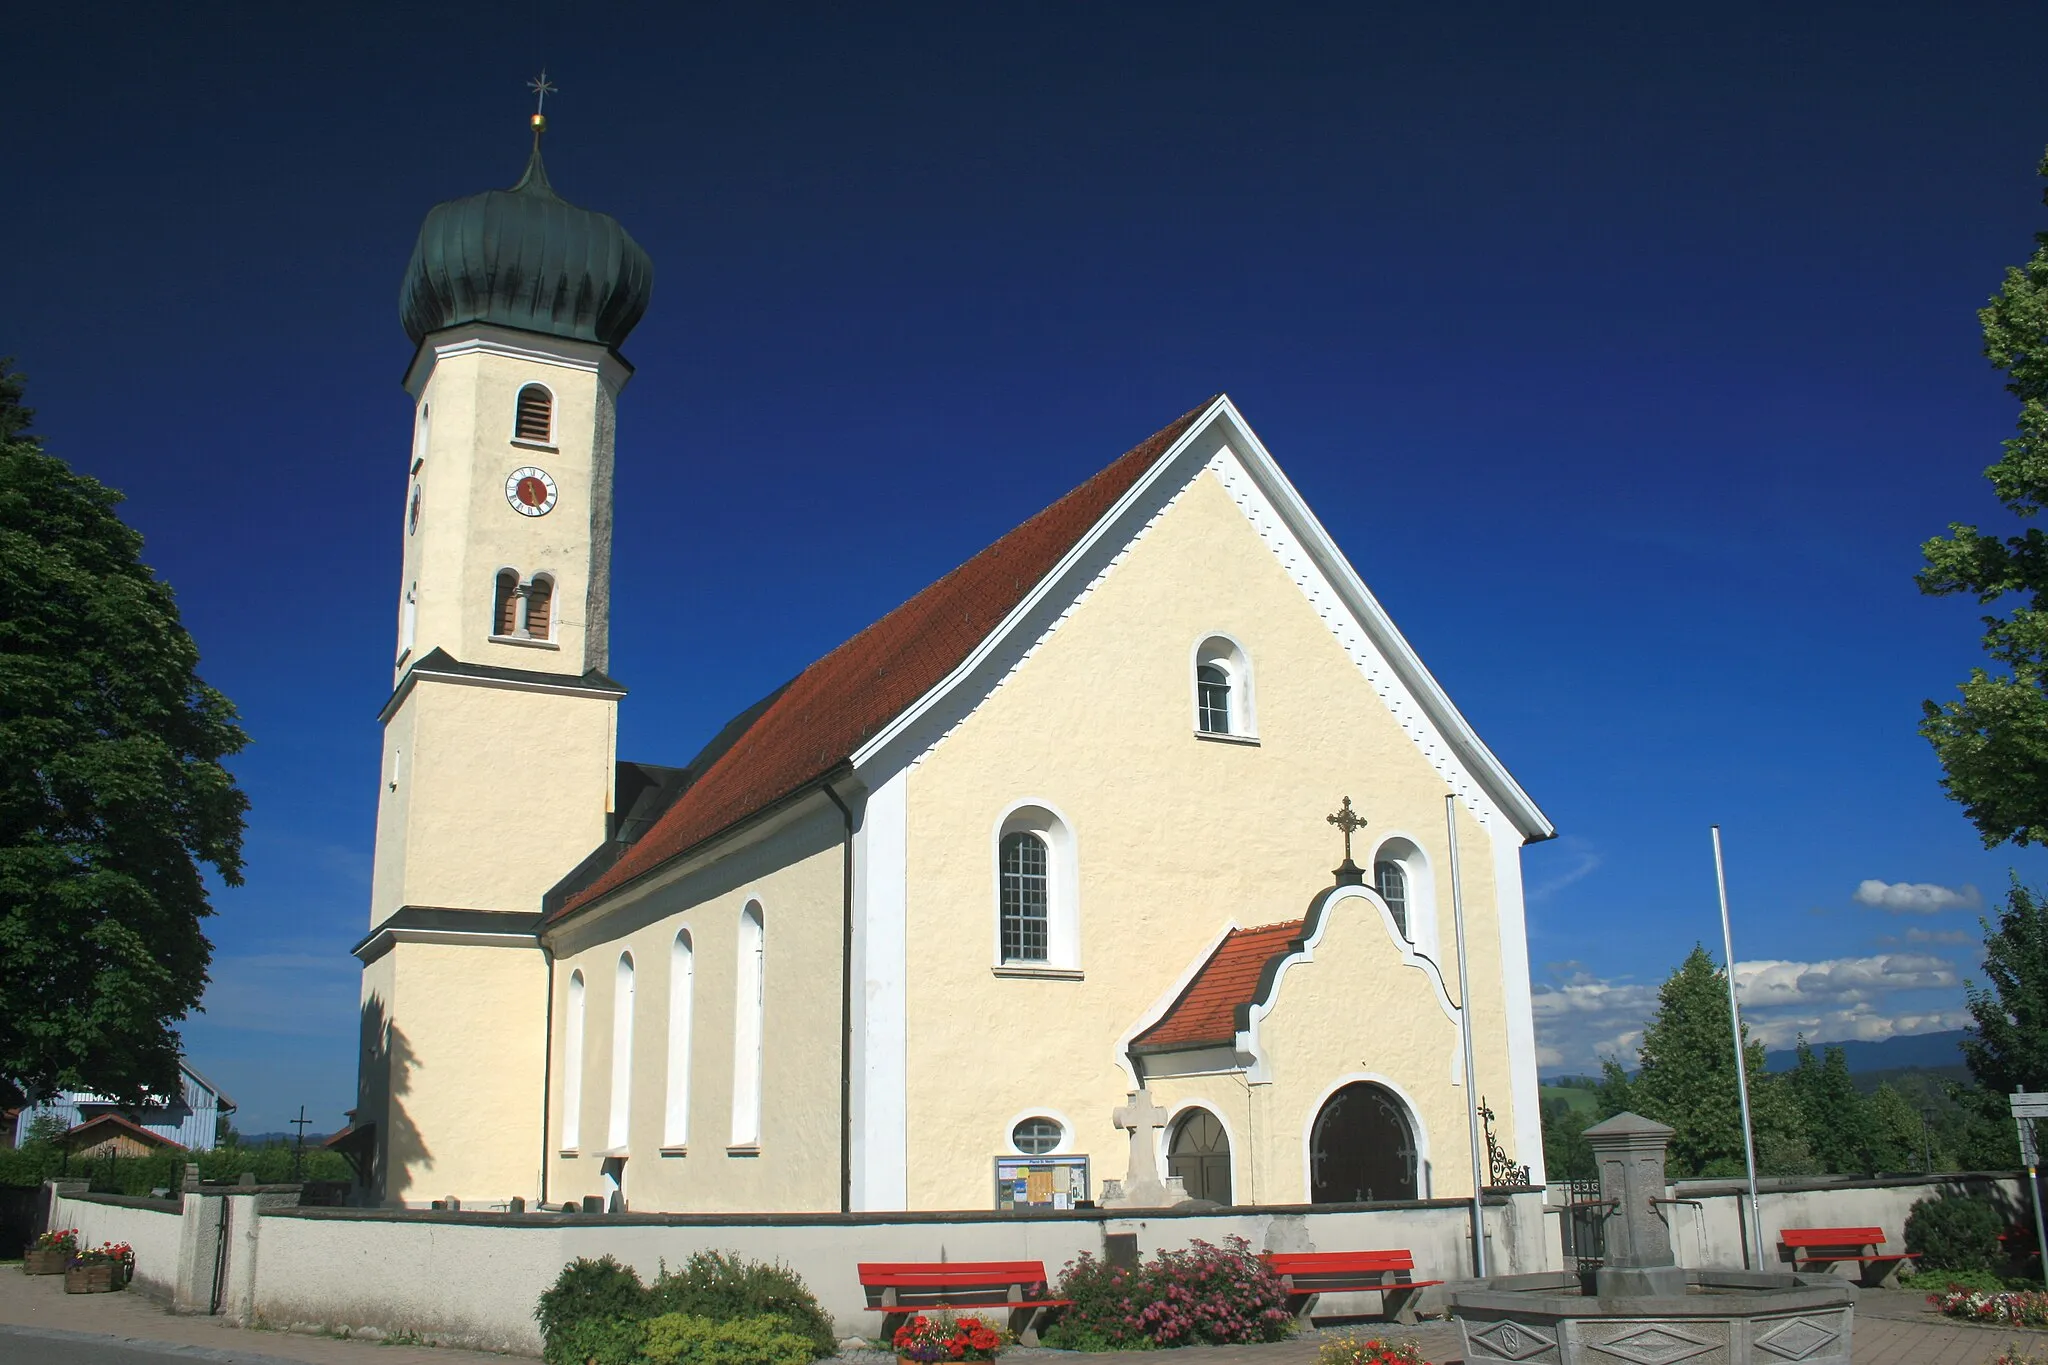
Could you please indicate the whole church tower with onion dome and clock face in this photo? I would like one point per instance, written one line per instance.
(499, 738)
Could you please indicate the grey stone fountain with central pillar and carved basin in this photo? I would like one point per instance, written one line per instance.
(1641, 1307)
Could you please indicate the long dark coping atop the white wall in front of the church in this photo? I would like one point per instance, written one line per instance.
(499, 1219)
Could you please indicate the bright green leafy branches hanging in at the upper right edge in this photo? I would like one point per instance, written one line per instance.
(1994, 744)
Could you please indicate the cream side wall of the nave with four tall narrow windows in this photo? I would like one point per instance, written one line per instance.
(798, 877)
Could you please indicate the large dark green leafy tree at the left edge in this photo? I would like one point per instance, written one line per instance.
(112, 789)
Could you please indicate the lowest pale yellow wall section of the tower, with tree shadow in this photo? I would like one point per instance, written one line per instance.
(454, 1039)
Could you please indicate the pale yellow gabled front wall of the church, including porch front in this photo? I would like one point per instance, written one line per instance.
(1177, 838)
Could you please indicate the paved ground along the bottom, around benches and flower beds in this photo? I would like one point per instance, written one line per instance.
(42, 1323)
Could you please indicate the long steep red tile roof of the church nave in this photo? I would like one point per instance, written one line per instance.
(851, 695)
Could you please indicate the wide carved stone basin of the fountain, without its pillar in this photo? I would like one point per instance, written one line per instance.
(1723, 1319)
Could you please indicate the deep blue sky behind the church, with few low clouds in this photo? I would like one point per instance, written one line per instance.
(1629, 353)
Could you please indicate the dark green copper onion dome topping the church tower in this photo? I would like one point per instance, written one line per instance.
(525, 259)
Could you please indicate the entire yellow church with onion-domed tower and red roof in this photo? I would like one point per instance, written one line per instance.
(1027, 875)
